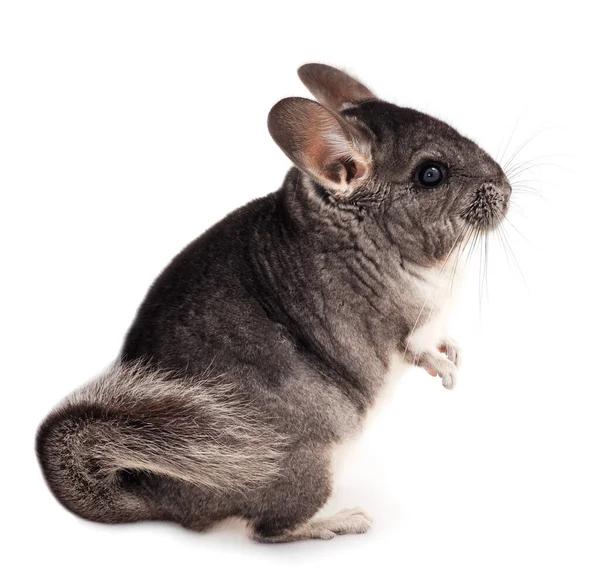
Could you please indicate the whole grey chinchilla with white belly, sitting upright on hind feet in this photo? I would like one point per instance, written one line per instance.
(264, 344)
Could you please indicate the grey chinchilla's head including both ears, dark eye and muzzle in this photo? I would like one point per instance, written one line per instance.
(423, 182)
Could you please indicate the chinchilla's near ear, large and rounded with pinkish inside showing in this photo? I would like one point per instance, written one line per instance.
(319, 142)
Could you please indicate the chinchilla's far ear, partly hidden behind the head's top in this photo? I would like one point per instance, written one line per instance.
(332, 87)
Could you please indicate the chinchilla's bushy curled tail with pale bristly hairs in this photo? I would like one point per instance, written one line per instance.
(137, 420)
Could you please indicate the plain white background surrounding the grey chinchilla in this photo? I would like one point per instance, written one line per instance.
(127, 129)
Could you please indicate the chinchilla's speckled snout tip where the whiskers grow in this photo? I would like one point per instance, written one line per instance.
(488, 205)
